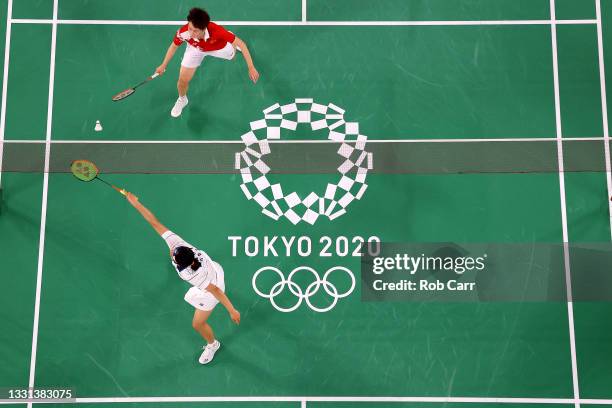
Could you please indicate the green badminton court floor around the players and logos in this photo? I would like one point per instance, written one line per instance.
(86, 283)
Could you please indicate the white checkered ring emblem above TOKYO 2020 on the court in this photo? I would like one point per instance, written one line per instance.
(276, 202)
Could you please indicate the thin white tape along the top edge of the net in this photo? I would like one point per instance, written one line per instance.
(281, 141)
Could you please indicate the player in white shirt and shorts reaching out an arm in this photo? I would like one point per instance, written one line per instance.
(205, 276)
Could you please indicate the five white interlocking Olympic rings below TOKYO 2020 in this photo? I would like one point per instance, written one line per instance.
(298, 292)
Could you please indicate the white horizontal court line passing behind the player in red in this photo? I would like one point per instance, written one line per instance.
(312, 23)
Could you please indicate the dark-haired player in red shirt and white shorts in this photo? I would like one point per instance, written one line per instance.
(204, 38)
